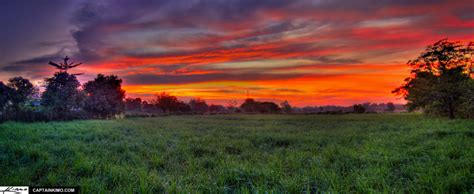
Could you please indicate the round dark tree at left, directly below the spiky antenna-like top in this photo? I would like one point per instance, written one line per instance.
(62, 95)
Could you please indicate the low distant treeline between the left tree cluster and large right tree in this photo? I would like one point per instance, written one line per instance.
(165, 103)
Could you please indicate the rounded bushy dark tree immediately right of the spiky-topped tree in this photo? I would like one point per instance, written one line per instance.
(104, 96)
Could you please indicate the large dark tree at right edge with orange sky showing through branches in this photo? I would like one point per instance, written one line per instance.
(437, 78)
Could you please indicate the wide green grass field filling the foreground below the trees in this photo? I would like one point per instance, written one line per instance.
(241, 153)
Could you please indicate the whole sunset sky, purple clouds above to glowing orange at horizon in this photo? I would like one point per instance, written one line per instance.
(309, 52)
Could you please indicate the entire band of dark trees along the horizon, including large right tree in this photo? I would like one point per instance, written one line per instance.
(441, 84)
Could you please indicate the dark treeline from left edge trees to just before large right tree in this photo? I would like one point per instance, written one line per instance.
(102, 98)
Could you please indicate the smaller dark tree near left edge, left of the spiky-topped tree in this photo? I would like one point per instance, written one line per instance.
(21, 91)
